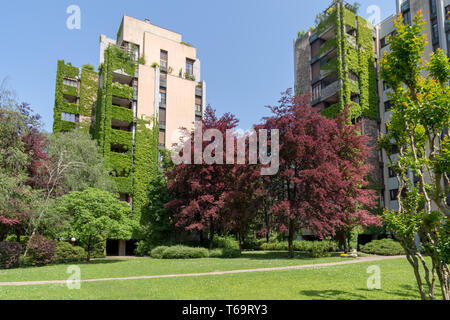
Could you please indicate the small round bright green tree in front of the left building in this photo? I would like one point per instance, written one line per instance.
(95, 216)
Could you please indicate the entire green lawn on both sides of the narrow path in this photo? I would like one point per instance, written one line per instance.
(337, 282)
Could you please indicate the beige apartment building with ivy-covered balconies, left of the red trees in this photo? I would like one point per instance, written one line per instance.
(146, 73)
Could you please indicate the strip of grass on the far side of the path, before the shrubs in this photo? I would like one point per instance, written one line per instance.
(110, 268)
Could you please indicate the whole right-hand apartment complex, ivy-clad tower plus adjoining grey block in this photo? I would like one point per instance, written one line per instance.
(317, 73)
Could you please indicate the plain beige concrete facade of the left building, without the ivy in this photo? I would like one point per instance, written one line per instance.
(184, 92)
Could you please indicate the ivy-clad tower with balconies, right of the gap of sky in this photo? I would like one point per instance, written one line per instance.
(335, 62)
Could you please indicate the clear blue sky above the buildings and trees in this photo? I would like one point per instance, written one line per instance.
(246, 46)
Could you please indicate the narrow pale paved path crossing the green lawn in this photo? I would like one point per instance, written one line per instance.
(353, 261)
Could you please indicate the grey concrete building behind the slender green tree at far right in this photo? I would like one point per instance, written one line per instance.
(437, 23)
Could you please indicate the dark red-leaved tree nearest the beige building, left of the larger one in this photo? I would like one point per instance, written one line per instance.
(198, 189)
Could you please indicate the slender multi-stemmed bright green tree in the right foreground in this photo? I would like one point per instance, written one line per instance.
(417, 129)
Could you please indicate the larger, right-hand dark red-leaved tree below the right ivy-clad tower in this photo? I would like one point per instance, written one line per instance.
(320, 184)
